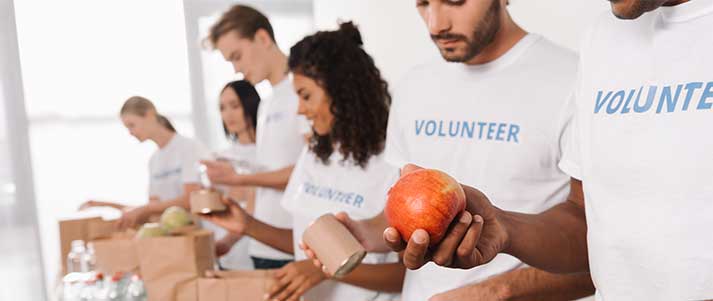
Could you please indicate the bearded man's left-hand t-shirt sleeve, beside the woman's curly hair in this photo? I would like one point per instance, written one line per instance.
(395, 151)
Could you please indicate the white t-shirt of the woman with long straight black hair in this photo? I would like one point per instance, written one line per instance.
(237, 258)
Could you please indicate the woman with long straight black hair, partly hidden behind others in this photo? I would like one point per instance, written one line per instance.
(239, 102)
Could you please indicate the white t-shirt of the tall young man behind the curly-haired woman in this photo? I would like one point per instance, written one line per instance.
(280, 139)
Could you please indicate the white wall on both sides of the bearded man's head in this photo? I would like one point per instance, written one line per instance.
(397, 38)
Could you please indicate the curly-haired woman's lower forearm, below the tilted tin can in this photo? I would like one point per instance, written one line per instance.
(388, 277)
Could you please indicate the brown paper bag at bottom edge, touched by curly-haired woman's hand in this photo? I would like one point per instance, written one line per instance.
(234, 285)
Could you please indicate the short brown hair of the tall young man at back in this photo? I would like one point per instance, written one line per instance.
(243, 19)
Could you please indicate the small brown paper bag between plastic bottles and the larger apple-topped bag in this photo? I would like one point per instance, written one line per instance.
(116, 253)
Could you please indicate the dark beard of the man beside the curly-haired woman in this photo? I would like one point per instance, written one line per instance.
(483, 35)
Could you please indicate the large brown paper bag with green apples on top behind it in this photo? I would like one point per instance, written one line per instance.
(171, 265)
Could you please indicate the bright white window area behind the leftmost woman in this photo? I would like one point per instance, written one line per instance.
(81, 60)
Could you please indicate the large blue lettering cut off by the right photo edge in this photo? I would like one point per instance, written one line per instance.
(659, 99)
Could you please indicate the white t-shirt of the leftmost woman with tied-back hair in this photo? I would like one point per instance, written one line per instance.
(174, 165)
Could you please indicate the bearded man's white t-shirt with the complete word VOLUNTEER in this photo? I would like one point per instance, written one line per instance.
(495, 126)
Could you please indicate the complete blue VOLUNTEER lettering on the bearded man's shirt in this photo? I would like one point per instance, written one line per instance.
(495, 131)
